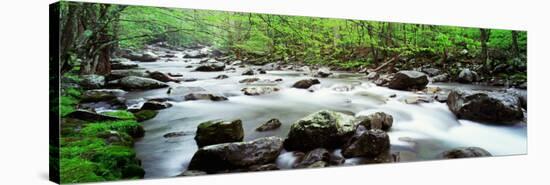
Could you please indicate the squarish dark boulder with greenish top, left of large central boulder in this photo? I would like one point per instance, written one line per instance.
(219, 131)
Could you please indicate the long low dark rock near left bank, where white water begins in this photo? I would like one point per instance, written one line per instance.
(134, 82)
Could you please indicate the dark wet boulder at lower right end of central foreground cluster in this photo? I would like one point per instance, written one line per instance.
(369, 143)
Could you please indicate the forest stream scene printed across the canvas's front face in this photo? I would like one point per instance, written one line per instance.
(125, 70)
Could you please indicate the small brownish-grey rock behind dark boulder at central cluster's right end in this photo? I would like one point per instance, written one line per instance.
(377, 120)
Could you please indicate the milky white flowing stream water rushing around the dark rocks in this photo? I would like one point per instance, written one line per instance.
(419, 132)
